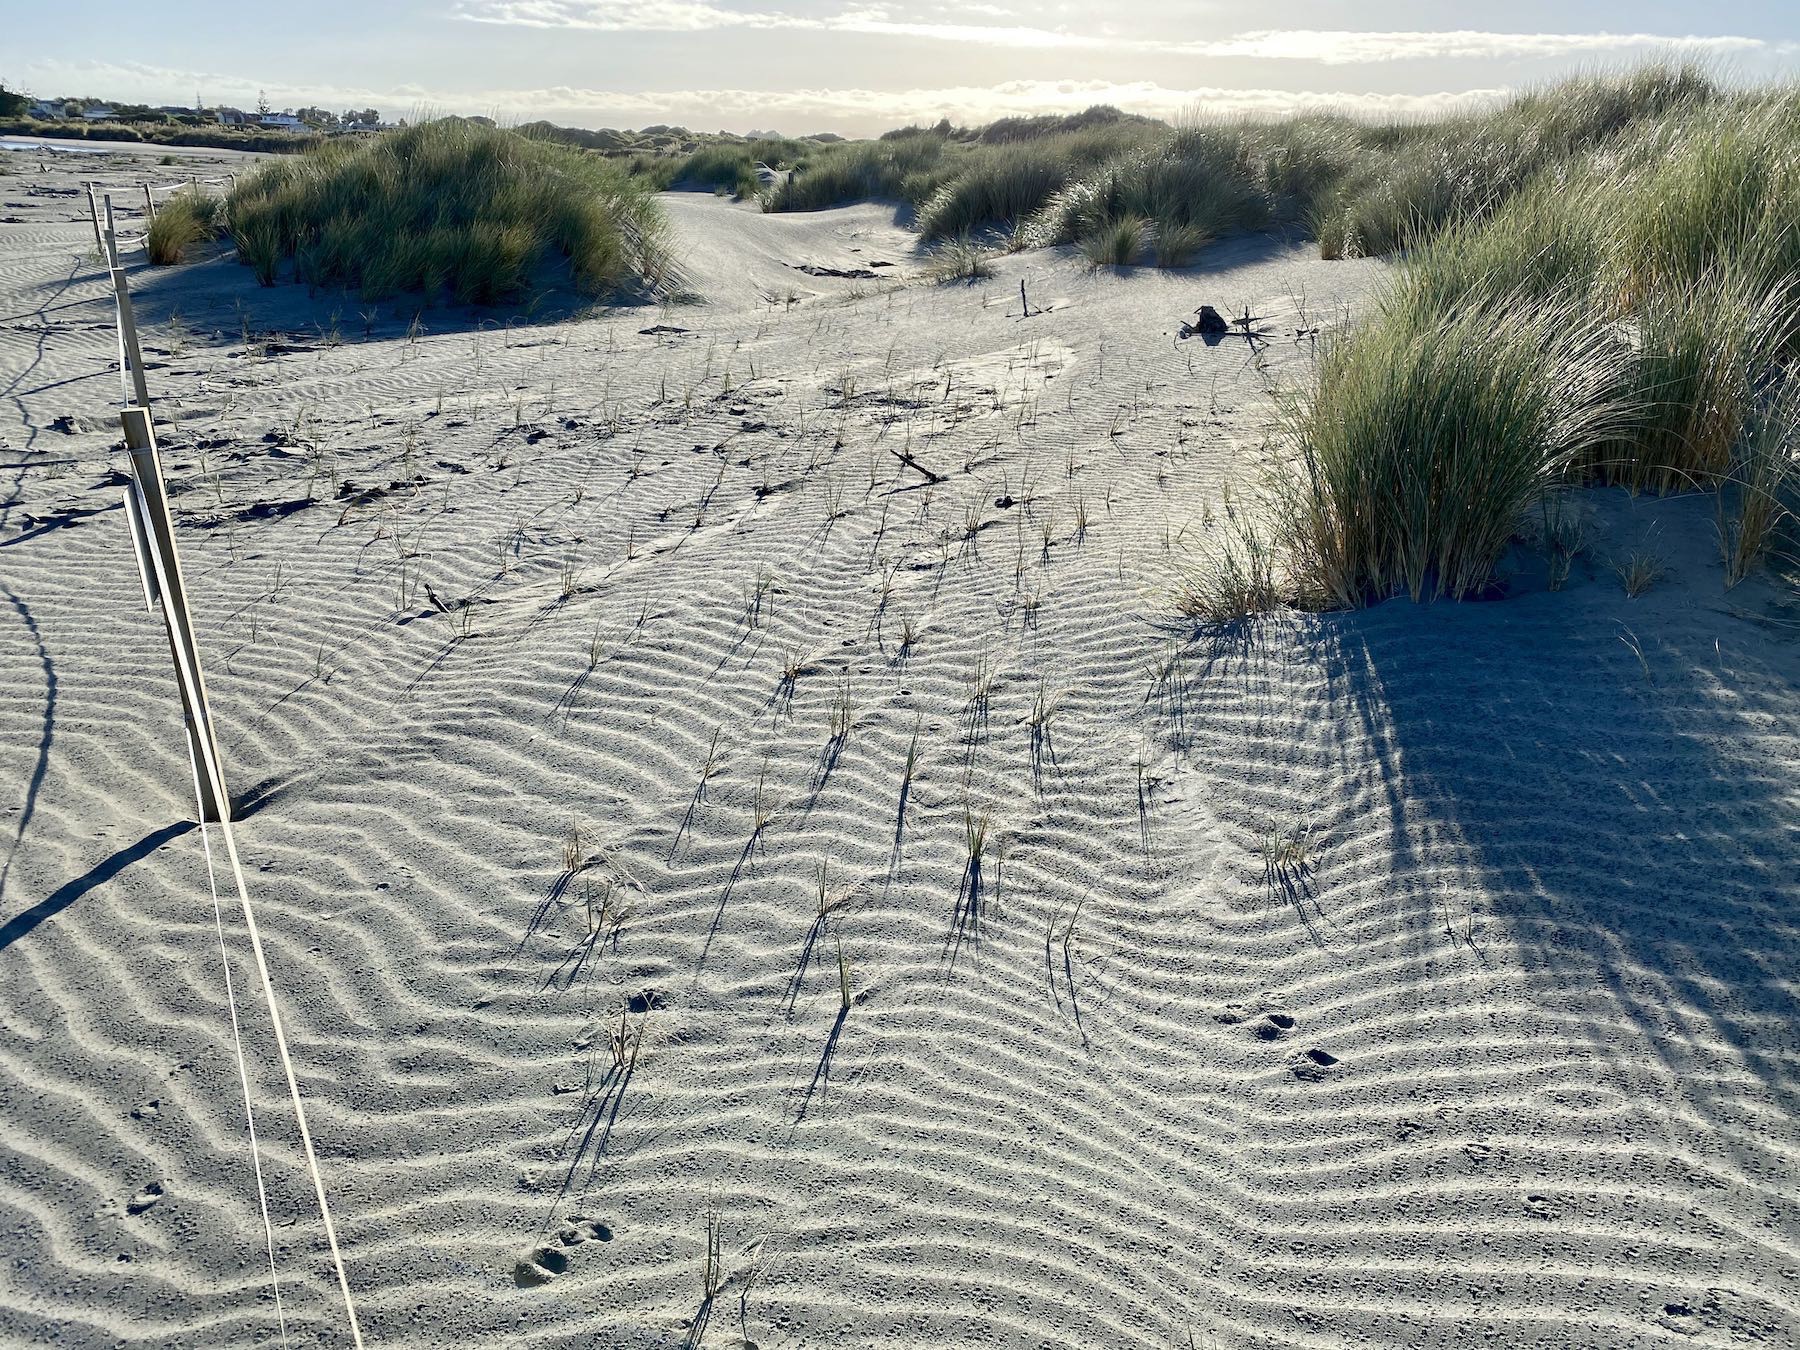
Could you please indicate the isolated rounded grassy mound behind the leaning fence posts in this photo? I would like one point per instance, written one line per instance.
(451, 206)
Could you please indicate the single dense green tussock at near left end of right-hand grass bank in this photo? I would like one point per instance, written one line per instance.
(1430, 435)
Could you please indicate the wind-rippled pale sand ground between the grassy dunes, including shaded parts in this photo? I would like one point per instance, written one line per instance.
(1417, 978)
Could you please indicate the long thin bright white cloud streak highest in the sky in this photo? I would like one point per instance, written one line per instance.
(1322, 46)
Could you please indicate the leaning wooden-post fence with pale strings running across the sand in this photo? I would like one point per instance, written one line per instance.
(152, 532)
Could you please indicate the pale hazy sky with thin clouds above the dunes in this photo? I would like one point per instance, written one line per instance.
(858, 69)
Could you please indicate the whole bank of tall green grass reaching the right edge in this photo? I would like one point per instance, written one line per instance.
(1624, 318)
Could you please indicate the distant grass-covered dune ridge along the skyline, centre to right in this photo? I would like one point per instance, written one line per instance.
(1362, 188)
